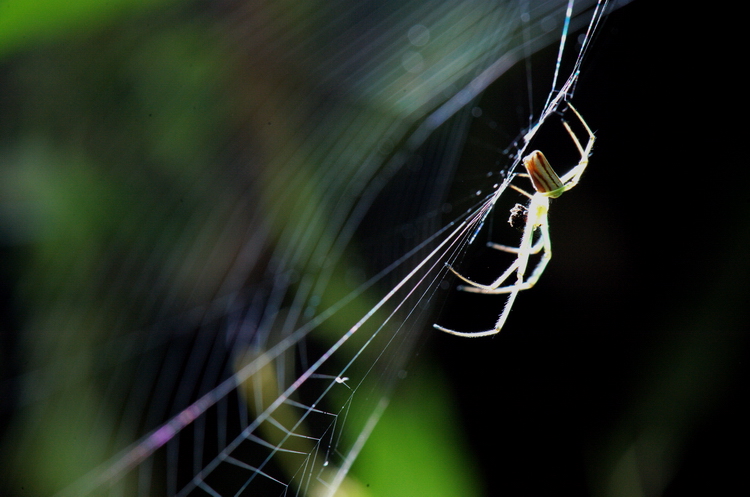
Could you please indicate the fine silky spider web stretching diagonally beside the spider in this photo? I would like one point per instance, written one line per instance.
(258, 344)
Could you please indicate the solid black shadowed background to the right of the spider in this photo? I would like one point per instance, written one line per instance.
(631, 352)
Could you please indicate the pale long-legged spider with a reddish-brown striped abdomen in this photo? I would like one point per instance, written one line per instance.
(547, 185)
